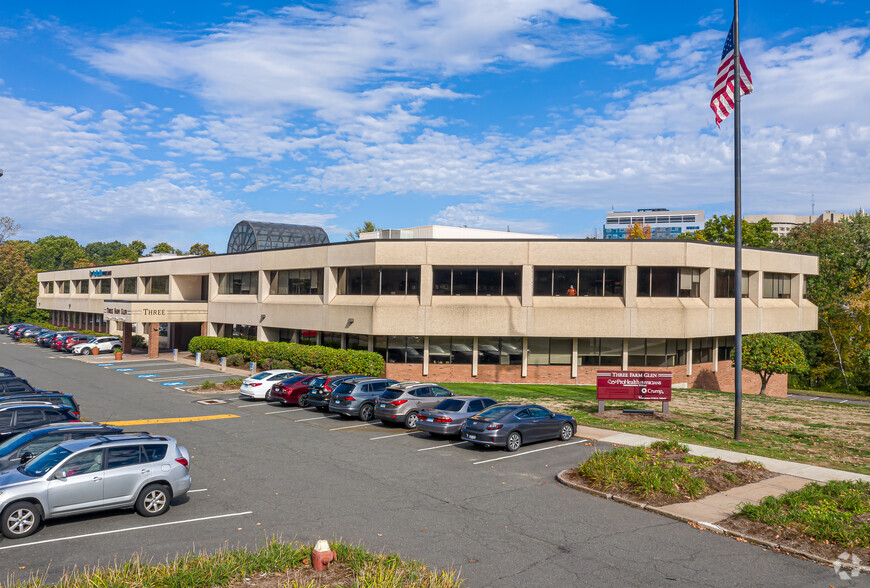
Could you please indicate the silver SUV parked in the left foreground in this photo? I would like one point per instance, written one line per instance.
(132, 470)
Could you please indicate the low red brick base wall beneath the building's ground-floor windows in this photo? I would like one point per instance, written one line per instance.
(702, 376)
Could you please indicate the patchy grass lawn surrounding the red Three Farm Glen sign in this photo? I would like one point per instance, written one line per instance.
(817, 433)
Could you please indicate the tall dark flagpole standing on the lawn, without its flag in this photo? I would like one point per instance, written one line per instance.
(738, 243)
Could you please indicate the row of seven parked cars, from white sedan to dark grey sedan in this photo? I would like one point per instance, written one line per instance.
(416, 405)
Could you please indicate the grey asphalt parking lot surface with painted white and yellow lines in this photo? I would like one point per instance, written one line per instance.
(261, 469)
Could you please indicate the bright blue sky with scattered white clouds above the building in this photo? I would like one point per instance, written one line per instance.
(172, 121)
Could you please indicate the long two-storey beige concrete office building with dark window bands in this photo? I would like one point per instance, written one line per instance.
(462, 310)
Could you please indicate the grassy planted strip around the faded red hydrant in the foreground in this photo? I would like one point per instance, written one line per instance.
(275, 564)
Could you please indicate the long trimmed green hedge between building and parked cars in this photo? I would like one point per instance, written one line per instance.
(309, 358)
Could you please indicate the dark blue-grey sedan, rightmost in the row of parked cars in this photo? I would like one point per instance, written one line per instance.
(511, 425)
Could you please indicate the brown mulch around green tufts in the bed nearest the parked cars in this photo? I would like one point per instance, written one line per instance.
(713, 473)
